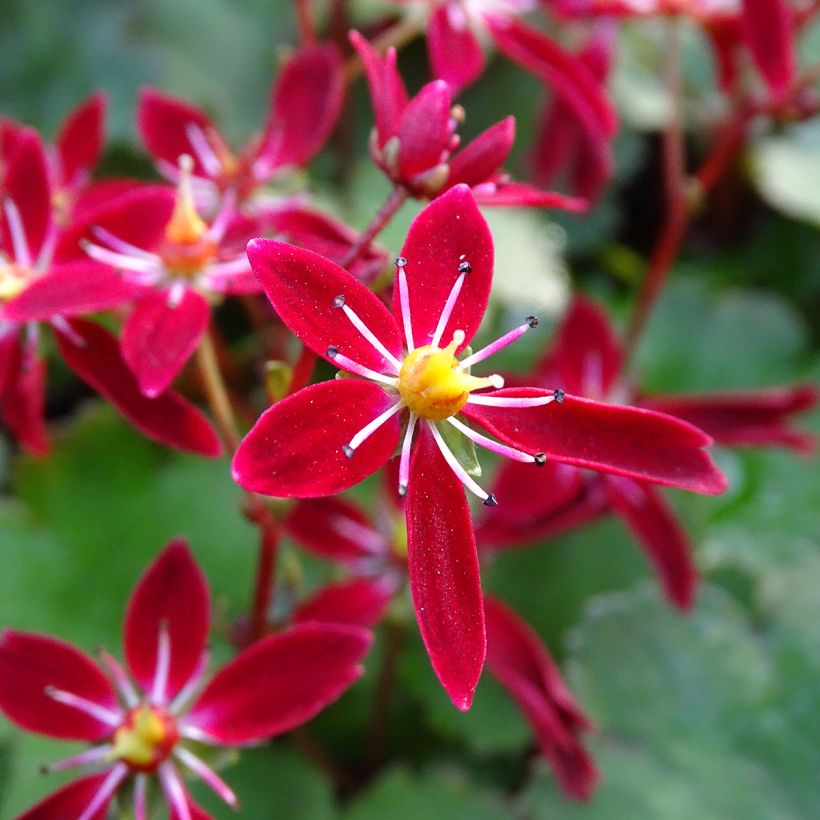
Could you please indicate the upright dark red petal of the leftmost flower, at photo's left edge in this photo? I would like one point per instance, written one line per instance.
(26, 184)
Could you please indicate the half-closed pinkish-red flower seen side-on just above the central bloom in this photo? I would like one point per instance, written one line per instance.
(414, 140)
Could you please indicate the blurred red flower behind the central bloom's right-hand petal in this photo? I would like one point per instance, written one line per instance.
(587, 359)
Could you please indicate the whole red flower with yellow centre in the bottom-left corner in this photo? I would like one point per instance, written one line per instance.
(143, 731)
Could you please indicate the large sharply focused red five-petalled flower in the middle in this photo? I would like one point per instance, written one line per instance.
(329, 436)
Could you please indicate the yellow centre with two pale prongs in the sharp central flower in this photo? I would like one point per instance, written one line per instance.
(434, 385)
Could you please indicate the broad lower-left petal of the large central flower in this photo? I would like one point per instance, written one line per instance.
(295, 448)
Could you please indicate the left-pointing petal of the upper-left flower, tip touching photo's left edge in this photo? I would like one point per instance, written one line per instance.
(70, 289)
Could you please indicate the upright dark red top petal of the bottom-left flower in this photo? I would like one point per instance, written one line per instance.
(172, 594)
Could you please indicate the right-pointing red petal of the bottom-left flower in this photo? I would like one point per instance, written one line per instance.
(279, 683)
